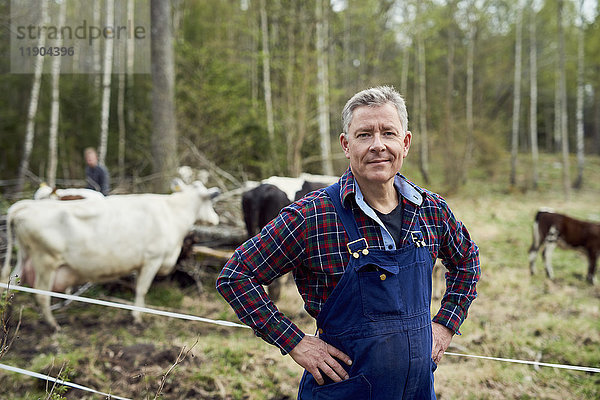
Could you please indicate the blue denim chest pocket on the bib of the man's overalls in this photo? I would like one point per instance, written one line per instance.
(392, 291)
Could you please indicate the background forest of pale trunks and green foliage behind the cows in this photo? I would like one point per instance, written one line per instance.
(257, 87)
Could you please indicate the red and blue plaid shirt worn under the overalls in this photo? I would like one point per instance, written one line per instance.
(309, 240)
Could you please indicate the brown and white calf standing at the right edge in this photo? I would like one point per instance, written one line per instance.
(551, 229)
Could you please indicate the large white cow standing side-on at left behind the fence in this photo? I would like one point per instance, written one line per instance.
(65, 243)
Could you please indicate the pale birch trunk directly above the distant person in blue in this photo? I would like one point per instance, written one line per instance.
(106, 82)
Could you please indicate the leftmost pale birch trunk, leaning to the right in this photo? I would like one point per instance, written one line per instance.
(38, 68)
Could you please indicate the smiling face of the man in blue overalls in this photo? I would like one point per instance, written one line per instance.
(376, 143)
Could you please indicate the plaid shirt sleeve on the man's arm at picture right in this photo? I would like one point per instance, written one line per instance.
(460, 255)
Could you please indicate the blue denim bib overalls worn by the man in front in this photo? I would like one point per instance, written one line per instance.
(379, 315)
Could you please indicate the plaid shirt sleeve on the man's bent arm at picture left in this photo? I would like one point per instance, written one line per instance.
(276, 250)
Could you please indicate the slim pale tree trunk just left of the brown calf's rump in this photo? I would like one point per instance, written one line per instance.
(516, 99)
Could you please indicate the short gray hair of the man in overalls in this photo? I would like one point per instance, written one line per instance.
(373, 97)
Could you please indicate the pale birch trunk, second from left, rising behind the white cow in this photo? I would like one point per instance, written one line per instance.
(55, 107)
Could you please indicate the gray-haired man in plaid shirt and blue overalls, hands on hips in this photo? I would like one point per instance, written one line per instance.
(361, 252)
